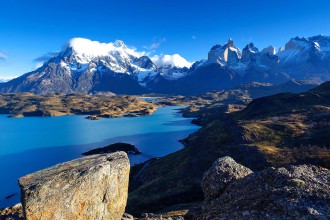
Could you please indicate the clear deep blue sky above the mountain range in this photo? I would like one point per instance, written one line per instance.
(30, 29)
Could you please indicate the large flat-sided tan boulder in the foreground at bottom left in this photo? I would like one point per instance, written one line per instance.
(93, 187)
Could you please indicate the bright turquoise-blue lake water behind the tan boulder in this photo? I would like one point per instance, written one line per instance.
(33, 143)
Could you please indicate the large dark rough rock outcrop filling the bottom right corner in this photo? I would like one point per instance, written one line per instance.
(294, 192)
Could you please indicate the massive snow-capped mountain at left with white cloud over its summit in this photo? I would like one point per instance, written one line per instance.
(86, 66)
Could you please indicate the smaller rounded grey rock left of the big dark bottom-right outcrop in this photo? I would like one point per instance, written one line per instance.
(223, 172)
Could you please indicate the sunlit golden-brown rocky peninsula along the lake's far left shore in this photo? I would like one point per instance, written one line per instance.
(28, 104)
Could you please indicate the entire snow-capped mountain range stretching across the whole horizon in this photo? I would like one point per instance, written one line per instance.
(85, 66)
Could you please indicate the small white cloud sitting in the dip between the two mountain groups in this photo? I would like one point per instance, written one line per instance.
(174, 60)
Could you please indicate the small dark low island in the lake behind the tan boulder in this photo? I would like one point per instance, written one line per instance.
(128, 148)
